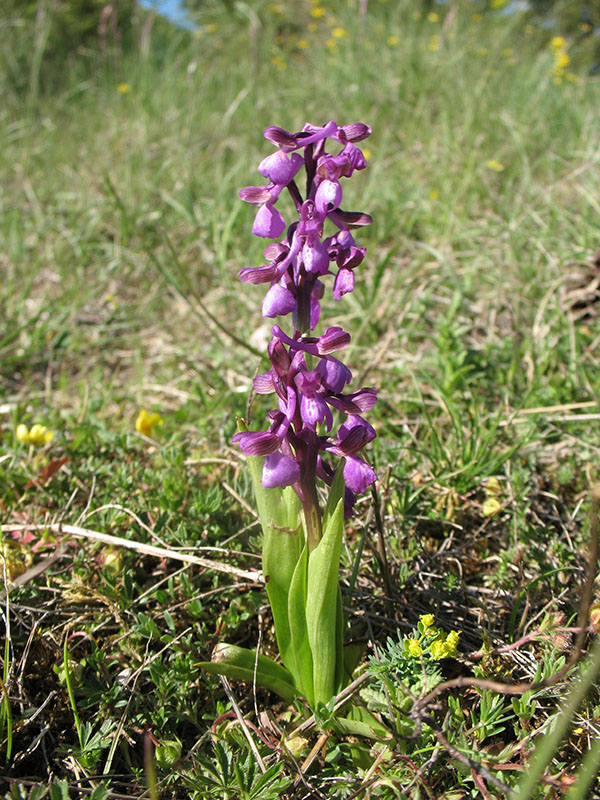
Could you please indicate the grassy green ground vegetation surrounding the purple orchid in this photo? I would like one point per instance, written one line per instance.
(475, 313)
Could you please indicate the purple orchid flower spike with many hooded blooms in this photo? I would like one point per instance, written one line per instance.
(309, 382)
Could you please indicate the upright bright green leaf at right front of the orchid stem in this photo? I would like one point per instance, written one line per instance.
(322, 613)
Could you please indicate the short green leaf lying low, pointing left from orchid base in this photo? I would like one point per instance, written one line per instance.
(239, 663)
